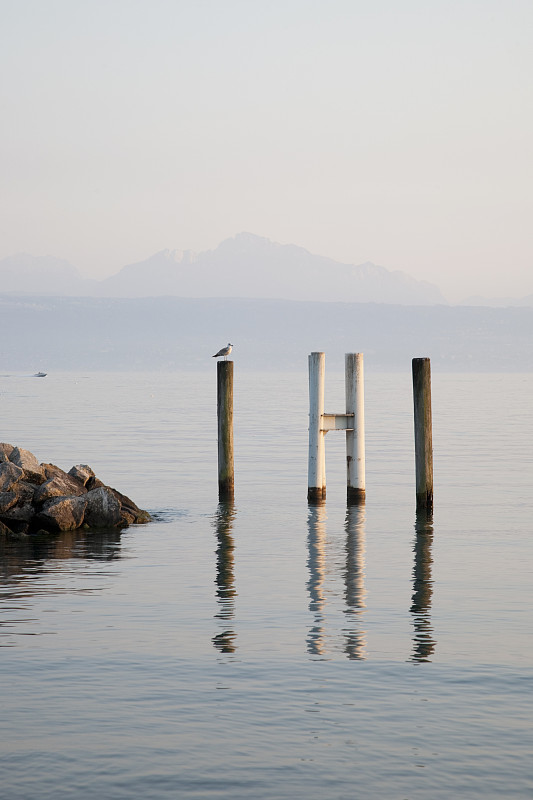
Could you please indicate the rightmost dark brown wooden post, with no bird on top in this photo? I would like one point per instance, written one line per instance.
(423, 433)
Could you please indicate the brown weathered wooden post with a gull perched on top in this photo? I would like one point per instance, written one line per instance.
(226, 481)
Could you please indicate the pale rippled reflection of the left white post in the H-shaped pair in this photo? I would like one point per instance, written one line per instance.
(316, 562)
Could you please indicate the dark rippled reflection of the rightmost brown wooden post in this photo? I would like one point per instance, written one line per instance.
(423, 641)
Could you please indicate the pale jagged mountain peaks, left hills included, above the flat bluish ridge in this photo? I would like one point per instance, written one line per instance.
(244, 266)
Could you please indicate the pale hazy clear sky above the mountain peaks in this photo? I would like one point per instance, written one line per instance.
(393, 132)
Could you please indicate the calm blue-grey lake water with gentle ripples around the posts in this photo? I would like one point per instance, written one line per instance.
(268, 649)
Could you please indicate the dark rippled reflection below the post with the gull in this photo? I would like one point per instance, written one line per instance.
(225, 576)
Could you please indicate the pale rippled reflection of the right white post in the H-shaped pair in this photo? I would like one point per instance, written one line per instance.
(354, 579)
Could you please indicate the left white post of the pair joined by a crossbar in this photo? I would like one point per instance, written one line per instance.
(316, 481)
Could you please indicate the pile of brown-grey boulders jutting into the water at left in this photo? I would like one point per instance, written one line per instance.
(42, 498)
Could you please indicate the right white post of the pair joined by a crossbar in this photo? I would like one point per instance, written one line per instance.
(355, 439)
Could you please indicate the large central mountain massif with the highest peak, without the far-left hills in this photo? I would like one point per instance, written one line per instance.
(252, 266)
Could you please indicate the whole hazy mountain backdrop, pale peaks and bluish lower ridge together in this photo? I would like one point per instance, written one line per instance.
(276, 303)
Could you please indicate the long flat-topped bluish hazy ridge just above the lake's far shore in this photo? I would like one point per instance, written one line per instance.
(169, 333)
